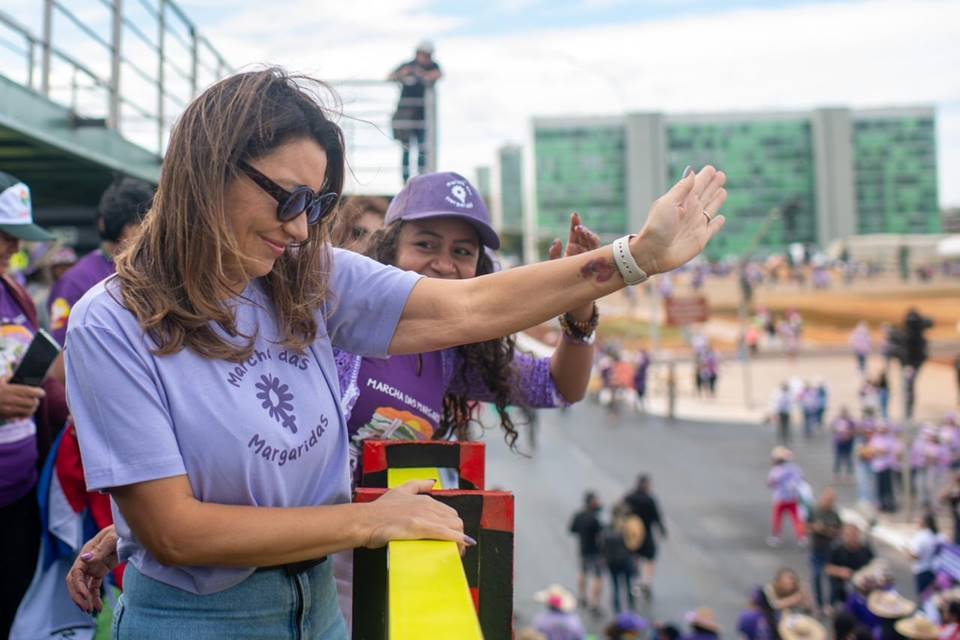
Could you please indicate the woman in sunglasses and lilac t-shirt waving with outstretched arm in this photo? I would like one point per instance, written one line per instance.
(202, 378)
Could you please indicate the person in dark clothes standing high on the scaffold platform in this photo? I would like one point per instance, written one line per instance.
(410, 119)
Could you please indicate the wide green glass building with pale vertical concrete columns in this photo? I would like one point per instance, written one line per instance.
(809, 177)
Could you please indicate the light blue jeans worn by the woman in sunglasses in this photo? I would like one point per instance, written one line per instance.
(269, 604)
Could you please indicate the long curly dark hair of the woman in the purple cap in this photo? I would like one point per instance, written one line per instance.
(493, 359)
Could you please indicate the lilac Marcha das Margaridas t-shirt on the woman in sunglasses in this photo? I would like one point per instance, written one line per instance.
(266, 432)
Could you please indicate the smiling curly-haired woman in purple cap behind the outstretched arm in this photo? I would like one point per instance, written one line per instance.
(439, 227)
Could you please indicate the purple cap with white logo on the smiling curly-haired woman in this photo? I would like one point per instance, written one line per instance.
(443, 195)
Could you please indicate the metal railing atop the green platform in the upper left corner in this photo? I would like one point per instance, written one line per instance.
(107, 68)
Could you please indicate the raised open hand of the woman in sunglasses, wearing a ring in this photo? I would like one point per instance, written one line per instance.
(681, 222)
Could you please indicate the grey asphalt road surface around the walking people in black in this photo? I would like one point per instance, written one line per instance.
(710, 481)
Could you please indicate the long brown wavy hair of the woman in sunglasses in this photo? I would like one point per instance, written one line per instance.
(175, 272)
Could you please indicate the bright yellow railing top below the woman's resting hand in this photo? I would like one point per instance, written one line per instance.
(429, 597)
